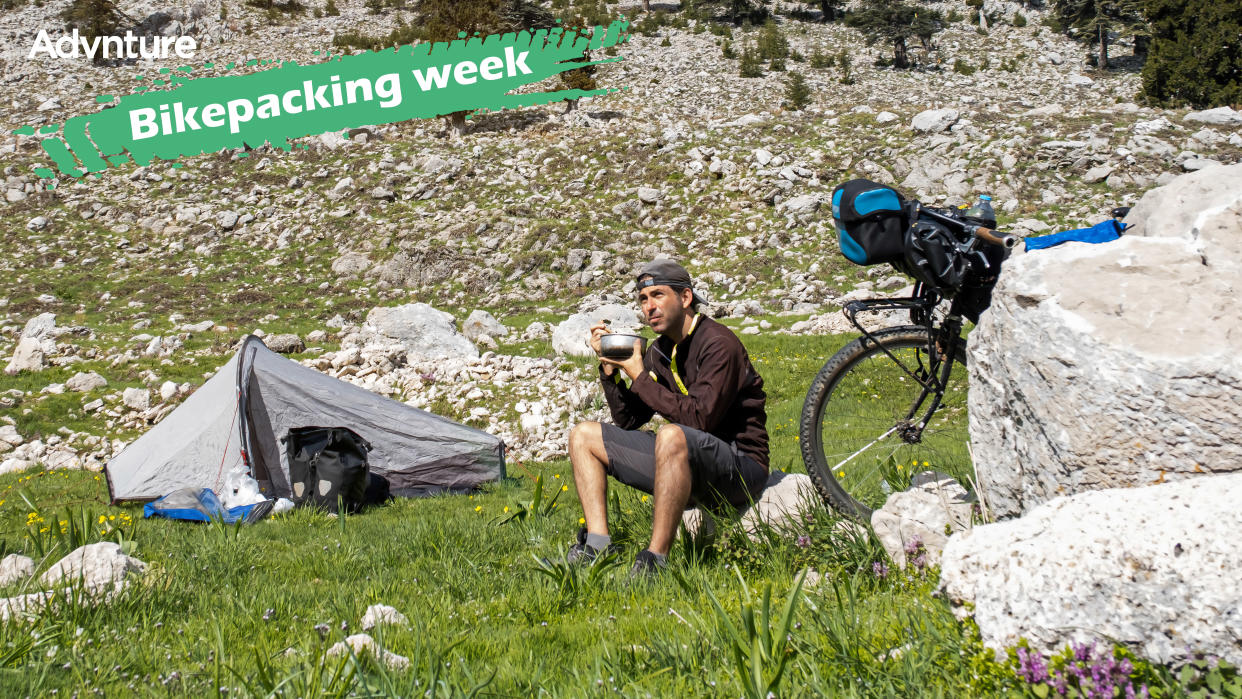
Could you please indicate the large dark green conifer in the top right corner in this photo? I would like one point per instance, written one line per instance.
(1195, 55)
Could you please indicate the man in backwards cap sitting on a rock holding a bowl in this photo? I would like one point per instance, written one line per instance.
(715, 450)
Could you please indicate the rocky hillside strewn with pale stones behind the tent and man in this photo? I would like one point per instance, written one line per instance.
(155, 273)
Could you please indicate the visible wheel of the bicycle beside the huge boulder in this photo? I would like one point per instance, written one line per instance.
(861, 423)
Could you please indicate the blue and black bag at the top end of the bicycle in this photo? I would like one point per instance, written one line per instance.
(871, 222)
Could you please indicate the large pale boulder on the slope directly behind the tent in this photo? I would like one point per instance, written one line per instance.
(424, 332)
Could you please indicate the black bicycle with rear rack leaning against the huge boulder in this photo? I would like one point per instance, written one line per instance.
(889, 405)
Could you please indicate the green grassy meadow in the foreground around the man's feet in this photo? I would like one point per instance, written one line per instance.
(238, 608)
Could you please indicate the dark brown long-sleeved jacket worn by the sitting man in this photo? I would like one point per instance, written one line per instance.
(725, 395)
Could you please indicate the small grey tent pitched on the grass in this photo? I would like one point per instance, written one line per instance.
(243, 413)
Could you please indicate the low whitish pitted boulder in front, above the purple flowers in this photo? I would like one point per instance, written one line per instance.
(1152, 568)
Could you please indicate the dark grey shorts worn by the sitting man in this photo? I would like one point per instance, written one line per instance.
(720, 474)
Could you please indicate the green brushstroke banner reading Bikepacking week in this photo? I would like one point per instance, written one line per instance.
(290, 101)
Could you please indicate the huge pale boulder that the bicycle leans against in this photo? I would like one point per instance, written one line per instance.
(1117, 364)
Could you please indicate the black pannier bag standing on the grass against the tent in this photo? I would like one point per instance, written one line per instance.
(329, 465)
